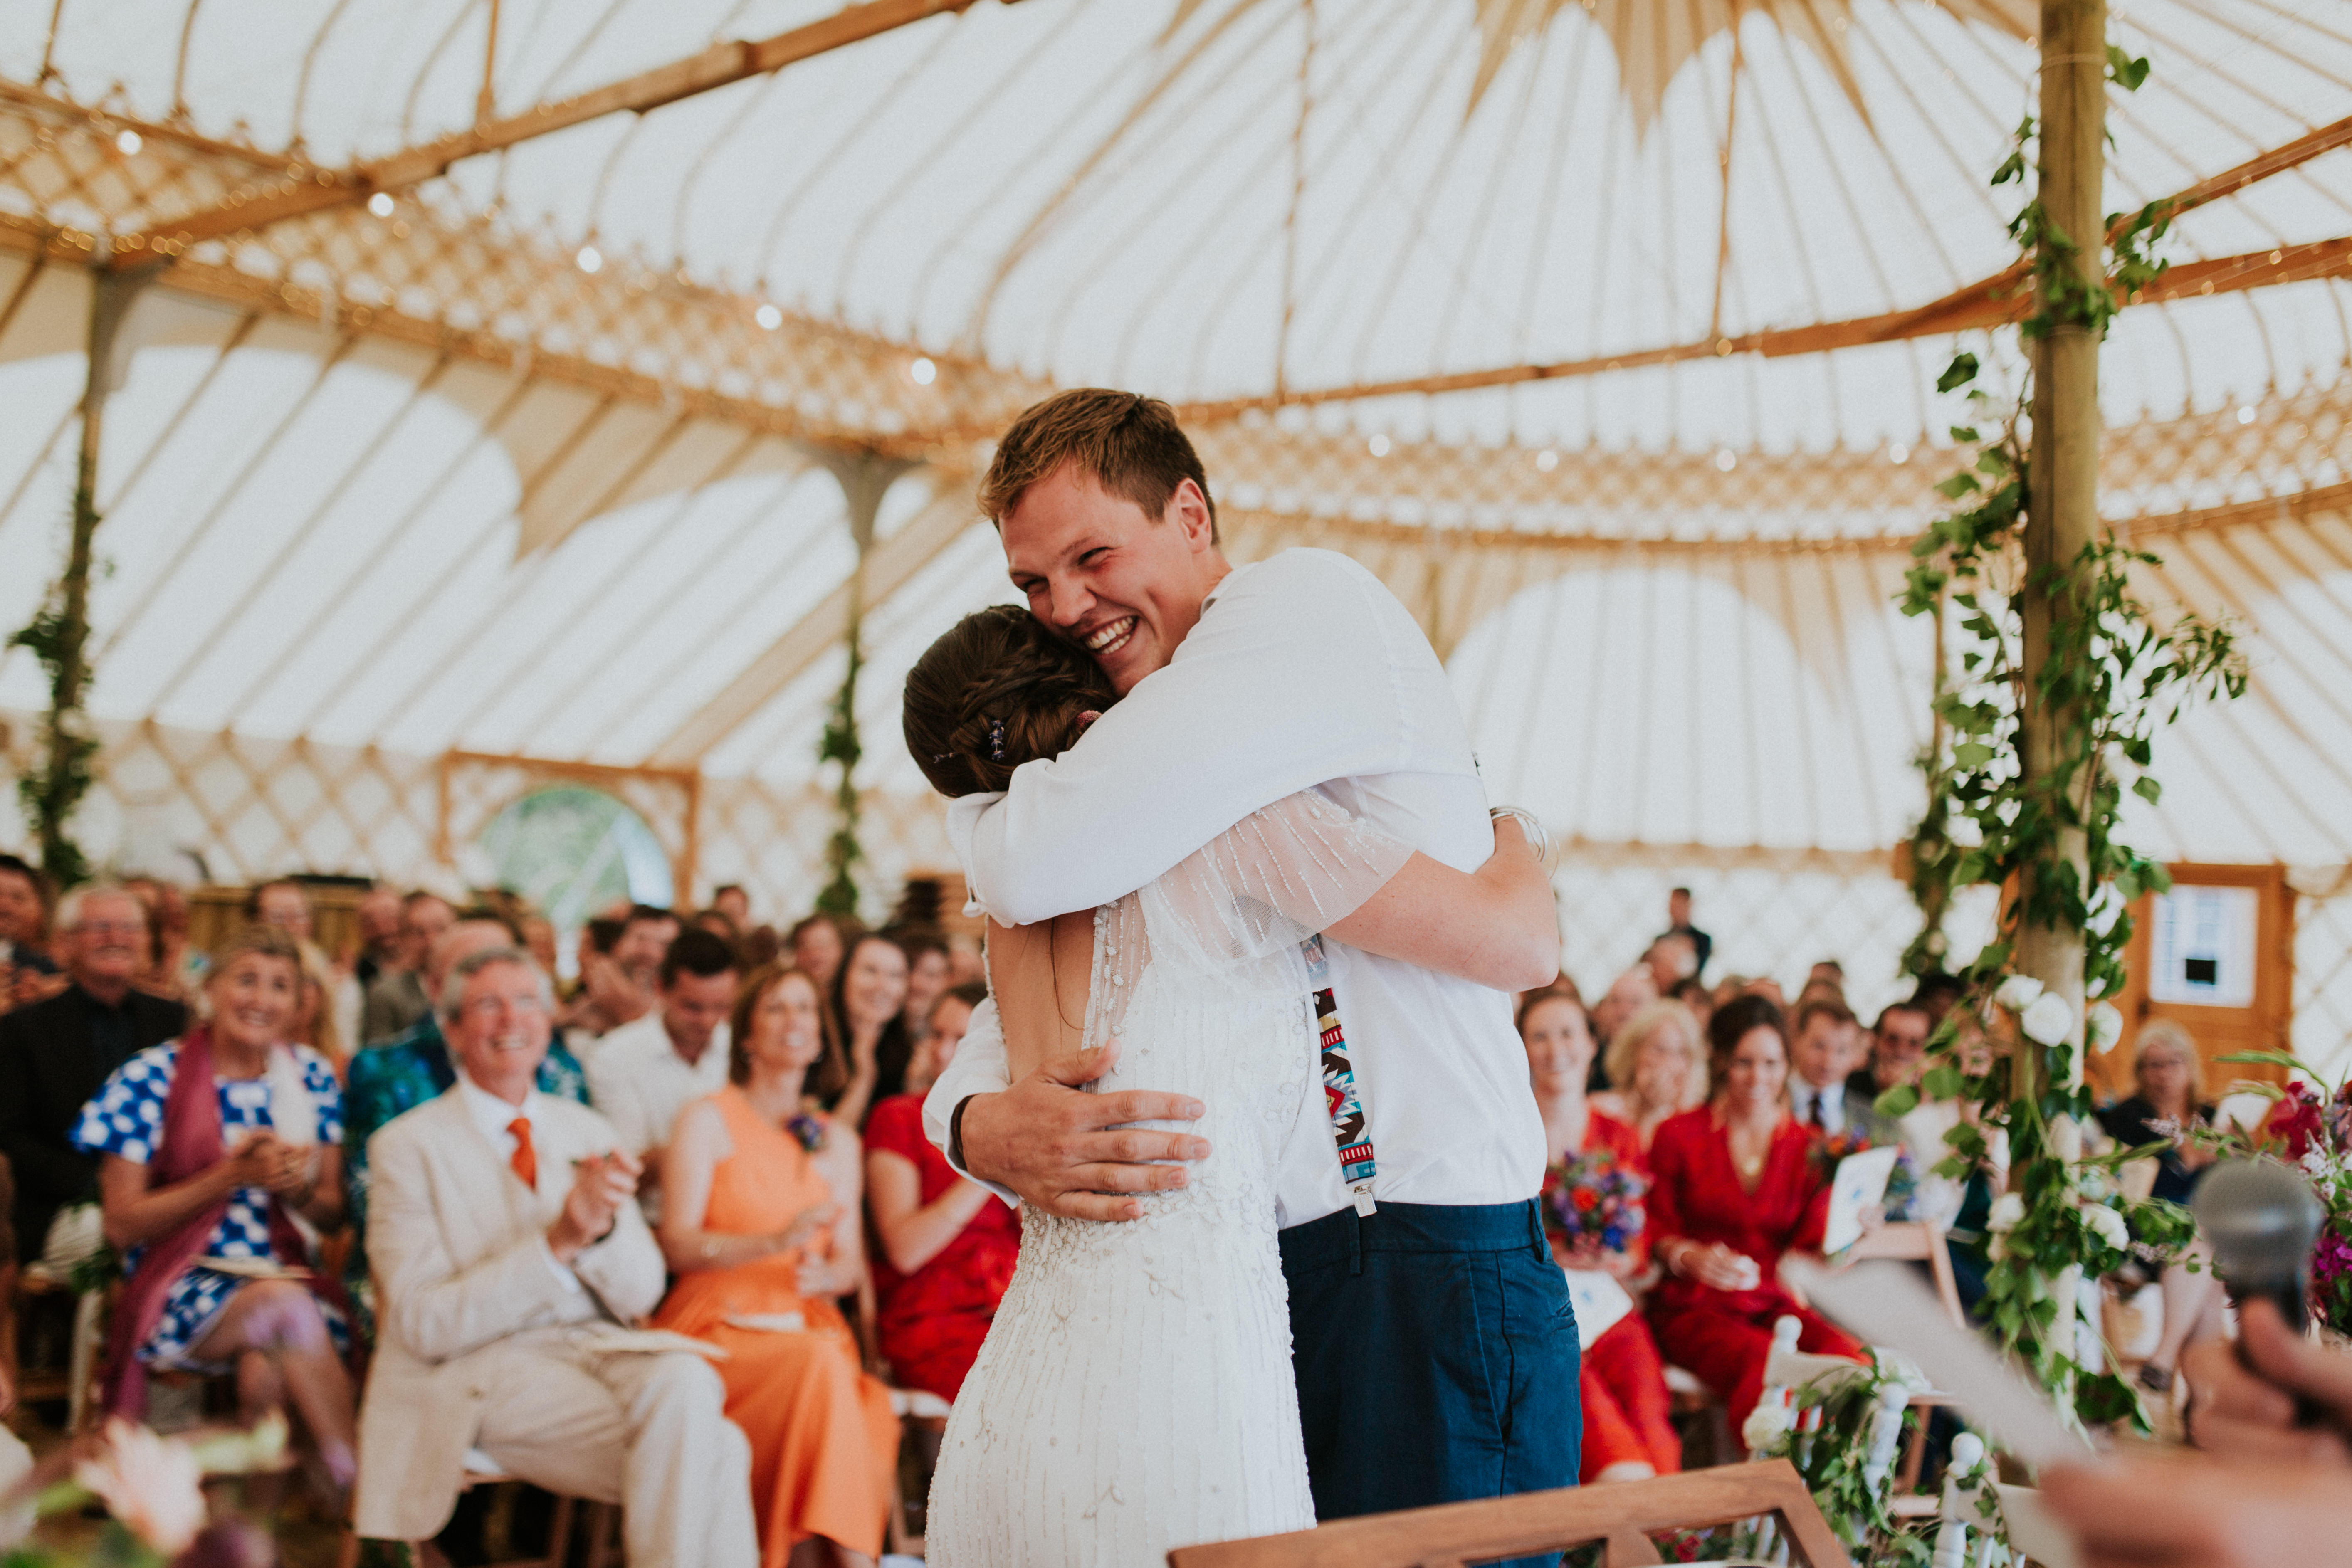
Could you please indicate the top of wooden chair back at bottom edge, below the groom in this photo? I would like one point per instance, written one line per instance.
(1622, 1517)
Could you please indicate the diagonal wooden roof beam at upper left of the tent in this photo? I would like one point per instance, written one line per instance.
(302, 192)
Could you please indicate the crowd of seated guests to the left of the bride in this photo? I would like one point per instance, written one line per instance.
(653, 1238)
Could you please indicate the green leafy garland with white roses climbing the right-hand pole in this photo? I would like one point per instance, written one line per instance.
(2120, 676)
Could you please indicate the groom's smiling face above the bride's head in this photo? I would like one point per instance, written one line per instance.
(1121, 584)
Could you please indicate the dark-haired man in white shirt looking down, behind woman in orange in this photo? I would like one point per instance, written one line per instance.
(653, 1068)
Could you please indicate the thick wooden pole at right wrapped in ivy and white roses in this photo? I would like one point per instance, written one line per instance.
(2059, 688)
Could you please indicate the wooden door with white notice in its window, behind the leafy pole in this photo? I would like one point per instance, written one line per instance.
(2217, 956)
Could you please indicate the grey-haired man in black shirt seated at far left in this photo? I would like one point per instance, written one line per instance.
(58, 1054)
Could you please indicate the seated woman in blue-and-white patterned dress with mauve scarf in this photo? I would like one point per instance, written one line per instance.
(213, 1148)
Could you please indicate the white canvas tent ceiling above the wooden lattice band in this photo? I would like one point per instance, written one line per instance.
(1038, 182)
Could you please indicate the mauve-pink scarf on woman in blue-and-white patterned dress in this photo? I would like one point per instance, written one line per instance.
(192, 1144)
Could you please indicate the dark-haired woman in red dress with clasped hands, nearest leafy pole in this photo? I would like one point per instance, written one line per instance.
(1735, 1191)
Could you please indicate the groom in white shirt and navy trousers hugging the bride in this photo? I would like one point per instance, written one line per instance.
(1434, 1339)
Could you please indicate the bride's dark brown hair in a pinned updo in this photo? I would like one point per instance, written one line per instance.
(996, 692)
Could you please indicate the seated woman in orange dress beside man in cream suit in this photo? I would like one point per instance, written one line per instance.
(761, 1224)
